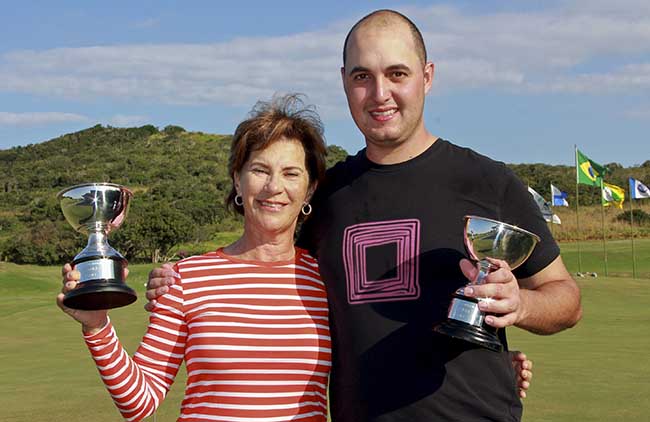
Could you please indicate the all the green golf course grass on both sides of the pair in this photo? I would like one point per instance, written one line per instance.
(597, 371)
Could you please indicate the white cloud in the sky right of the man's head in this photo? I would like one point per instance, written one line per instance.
(558, 49)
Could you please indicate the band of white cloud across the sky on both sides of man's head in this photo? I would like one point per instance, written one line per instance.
(549, 50)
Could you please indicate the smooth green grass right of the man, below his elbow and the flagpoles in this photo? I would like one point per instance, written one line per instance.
(599, 370)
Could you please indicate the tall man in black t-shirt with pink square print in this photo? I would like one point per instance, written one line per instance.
(387, 230)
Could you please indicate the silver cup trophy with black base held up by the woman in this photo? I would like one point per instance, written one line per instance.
(96, 209)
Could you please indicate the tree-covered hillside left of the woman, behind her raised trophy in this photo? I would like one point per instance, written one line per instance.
(175, 177)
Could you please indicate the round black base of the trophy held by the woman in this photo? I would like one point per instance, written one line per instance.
(99, 294)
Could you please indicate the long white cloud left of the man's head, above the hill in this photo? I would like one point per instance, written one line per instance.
(237, 72)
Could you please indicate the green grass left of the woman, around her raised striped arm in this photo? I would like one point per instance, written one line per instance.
(46, 371)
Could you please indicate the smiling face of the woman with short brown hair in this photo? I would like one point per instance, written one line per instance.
(274, 185)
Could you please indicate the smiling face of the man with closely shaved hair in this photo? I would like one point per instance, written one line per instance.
(385, 83)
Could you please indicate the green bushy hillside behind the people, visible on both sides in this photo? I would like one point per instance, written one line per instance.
(179, 180)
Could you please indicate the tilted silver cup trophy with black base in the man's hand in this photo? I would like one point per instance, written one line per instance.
(485, 238)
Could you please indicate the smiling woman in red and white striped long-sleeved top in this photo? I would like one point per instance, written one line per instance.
(249, 319)
